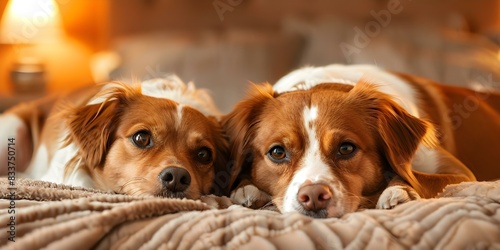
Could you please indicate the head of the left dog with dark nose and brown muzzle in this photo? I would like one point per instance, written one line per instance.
(133, 143)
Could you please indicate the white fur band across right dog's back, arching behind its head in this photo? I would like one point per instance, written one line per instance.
(390, 84)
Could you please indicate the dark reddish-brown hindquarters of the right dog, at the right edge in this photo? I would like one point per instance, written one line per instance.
(468, 124)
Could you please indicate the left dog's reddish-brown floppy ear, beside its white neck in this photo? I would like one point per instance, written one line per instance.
(92, 126)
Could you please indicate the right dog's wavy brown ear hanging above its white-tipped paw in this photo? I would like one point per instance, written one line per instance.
(400, 132)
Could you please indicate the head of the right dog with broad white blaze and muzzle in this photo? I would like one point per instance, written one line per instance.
(325, 151)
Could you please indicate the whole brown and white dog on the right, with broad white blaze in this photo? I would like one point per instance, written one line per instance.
(326, 141)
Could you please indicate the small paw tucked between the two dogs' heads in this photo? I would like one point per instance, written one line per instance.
(250, 196)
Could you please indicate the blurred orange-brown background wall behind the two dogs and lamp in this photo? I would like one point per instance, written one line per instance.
(223, 45)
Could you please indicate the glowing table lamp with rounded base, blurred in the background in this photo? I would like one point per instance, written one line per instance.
(26, 24)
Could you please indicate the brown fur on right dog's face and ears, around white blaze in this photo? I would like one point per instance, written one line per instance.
(387, 137)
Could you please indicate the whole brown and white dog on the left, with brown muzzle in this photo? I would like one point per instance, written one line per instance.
(160, 138)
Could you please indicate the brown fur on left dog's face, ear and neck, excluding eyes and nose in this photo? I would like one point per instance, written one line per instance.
(102, 134)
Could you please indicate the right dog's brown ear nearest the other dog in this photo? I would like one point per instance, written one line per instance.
(239, 126)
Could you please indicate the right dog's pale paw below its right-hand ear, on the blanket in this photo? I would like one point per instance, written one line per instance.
(395, 195)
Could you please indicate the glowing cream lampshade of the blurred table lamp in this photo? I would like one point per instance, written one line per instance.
(31, 21)
